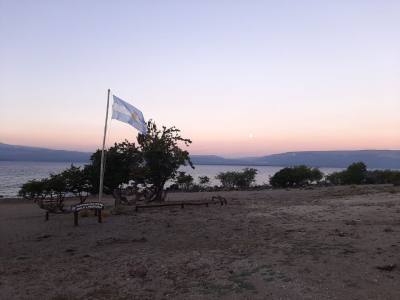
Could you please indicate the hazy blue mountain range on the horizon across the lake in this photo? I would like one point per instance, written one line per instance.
(380, 159)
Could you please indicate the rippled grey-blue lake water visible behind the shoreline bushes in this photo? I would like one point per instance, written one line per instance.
(14, 174)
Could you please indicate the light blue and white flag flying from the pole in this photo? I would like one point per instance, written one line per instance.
(127, 113)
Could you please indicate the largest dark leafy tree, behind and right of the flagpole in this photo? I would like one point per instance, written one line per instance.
(153, 161)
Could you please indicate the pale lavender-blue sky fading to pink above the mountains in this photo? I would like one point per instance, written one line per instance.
(239, 78)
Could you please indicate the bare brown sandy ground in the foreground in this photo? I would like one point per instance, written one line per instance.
(322, 243)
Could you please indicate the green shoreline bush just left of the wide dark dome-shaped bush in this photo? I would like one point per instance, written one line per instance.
(232, 179)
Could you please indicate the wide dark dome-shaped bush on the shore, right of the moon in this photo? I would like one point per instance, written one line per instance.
(295, 176)
